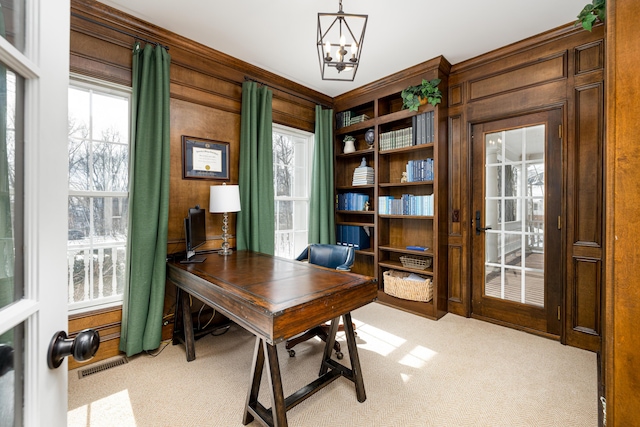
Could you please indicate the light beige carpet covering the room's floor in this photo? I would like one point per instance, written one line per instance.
(417, 372)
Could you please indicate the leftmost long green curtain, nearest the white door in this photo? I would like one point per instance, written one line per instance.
(148, 201)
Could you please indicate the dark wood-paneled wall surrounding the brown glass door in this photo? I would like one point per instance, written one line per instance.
(563, 68)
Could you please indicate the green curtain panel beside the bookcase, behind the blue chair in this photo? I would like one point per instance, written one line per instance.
(322, 202)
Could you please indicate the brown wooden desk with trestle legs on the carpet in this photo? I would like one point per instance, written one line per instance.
(275, 299)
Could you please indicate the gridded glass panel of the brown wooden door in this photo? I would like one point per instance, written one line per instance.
(514, 209)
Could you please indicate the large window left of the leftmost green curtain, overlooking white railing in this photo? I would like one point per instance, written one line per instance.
(98, 193)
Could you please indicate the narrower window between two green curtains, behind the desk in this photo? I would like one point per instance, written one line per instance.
(292, 154)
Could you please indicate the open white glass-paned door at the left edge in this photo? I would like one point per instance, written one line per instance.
(34, 76)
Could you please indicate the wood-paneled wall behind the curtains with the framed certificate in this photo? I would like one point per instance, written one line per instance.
(206, 92)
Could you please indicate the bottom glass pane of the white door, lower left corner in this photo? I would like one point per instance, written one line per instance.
(11, 376)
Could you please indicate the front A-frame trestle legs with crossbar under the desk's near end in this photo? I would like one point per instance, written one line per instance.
(330, 370)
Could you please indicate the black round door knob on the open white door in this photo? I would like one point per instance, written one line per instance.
(83, 347)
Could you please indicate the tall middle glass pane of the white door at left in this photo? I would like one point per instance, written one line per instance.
(11, 149)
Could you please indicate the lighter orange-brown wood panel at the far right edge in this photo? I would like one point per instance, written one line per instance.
(621, 349)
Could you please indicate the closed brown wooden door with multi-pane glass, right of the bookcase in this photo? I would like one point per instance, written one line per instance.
(517, 216)
